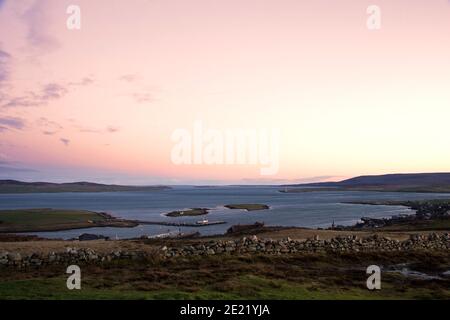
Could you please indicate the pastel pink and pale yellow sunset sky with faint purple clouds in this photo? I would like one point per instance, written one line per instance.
(101, 103)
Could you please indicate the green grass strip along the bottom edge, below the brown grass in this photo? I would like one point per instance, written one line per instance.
(247, 287)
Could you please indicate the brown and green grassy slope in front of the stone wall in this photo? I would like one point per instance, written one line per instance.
(300, 276)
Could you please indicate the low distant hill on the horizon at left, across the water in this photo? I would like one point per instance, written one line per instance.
(14, 186)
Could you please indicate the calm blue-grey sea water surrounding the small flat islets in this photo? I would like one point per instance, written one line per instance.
(306, 209)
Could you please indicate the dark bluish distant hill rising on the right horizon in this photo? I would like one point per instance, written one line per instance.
(409, 182)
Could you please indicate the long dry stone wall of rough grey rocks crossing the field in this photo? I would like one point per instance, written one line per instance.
(250, 245)
